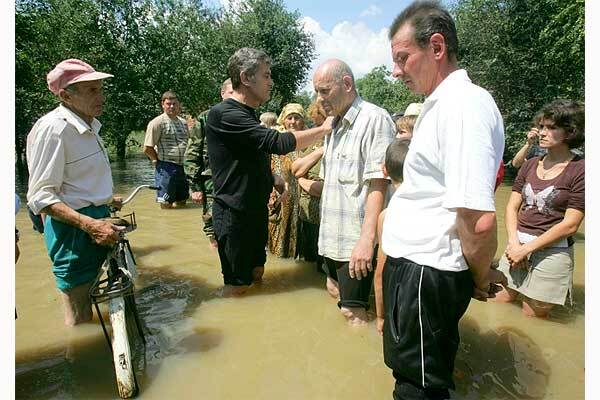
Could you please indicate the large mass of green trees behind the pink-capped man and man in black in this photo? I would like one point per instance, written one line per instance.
(150, 46)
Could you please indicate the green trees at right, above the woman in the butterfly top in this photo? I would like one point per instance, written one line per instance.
(525, 52)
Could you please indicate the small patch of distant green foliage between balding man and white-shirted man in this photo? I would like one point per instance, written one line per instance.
(377, 88)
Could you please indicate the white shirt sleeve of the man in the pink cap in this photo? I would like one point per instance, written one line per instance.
(46, 162)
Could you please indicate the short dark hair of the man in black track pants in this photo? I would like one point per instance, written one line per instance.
(428, 17)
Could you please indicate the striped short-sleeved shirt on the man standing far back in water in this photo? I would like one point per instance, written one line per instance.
(168, 137)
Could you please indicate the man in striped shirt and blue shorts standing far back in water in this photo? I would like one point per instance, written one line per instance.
(165, 144)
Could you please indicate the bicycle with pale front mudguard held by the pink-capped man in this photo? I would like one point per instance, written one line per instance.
(117, 288)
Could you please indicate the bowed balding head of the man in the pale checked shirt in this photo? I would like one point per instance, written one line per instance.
(334, 84)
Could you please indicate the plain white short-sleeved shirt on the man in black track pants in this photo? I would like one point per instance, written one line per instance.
(452, 163)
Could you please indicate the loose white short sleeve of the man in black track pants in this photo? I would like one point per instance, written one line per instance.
(470, 147)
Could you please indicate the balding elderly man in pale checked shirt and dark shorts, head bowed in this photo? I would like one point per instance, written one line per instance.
(354, 188)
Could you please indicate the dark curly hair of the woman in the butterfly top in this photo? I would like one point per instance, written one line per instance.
(568, 115)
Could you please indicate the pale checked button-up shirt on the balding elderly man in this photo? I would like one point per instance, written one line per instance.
(353, 155)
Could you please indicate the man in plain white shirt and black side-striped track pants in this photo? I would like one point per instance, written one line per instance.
(440, 228)
